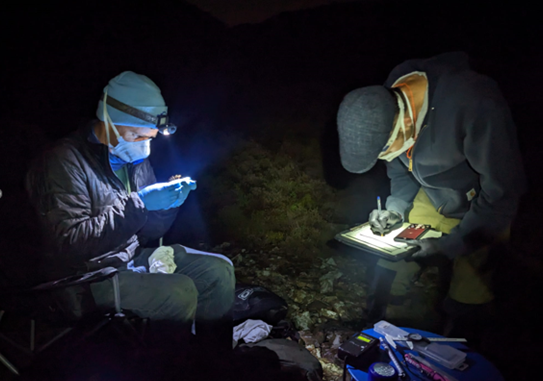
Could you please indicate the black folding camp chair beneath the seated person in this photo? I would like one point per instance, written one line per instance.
(45, 303)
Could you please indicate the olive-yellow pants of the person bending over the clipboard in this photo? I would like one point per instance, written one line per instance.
(468, 285)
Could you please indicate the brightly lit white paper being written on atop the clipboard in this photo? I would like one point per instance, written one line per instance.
(385, 244)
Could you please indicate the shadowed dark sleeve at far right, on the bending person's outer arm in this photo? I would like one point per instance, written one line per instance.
(491, 149)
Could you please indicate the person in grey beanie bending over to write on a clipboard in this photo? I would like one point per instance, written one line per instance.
(453, 161)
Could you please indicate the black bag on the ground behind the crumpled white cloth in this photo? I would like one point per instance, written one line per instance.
(258, 303)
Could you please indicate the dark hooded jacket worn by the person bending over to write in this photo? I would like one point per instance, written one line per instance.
(466, 157)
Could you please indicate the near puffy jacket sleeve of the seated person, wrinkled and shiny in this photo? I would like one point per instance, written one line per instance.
(60, 190)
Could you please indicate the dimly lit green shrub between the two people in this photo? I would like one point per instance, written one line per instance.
(261, 200)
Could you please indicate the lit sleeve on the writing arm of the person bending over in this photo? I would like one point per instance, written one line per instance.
(403, 187)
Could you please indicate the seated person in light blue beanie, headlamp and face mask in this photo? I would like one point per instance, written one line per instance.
(99, 204)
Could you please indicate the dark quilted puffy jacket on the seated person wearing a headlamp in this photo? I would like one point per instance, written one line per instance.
(89, 219)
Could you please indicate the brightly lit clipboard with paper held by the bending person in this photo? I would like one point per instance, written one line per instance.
(361, 237)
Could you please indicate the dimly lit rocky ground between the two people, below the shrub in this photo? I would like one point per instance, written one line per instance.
(326, 296)
